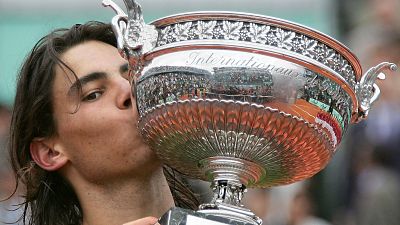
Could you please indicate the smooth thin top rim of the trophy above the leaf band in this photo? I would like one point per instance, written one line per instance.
(267, 20)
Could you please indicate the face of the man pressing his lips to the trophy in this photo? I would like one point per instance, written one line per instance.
(100, 137)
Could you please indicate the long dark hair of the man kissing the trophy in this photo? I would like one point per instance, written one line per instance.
(50, 199)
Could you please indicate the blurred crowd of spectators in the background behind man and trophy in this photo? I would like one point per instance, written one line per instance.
(362, 184)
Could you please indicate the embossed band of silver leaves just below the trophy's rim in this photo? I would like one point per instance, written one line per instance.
(268, 35)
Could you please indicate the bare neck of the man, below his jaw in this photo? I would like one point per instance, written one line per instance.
(127, 201)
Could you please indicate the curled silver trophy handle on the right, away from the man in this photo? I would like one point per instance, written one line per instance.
(367, 91)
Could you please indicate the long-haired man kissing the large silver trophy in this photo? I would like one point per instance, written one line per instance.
(74, 138)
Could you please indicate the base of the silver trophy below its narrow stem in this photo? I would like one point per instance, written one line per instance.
(179, 216)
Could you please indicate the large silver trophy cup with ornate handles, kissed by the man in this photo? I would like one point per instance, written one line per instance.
(240, 100)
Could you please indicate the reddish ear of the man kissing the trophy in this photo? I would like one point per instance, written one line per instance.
(45, 156)
